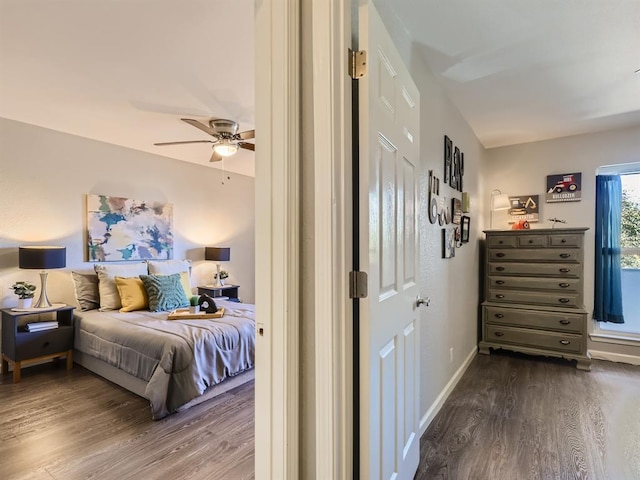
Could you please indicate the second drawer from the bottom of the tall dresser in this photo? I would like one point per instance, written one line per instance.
(564, 322)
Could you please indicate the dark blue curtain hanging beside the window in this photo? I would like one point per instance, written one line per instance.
(608, 281)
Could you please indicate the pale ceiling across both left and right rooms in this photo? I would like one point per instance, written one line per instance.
(125, 72)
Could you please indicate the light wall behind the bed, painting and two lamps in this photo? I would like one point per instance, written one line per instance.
(46, 175)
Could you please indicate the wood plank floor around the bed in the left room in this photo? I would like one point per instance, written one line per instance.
(59, 425)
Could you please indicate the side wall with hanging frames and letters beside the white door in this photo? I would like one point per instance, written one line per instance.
(452, 319)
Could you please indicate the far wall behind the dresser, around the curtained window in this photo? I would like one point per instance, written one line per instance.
(523, 169)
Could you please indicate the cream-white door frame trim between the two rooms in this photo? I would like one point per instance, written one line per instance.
(279, 131)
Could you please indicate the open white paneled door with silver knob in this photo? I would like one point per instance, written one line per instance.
(389, 116)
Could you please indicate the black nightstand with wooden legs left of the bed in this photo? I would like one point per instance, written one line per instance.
(20, 347)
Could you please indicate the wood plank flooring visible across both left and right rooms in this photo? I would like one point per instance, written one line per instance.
(511, 417)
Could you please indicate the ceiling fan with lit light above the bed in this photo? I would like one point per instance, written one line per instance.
(227, 139)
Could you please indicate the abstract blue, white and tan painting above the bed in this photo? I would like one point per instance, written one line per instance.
(121, 229)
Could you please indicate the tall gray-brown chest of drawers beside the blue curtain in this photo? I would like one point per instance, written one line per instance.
(533, 293)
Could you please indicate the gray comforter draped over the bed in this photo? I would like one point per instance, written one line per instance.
(178, 358)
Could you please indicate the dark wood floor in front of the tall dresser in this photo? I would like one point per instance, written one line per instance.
(513, 417)
